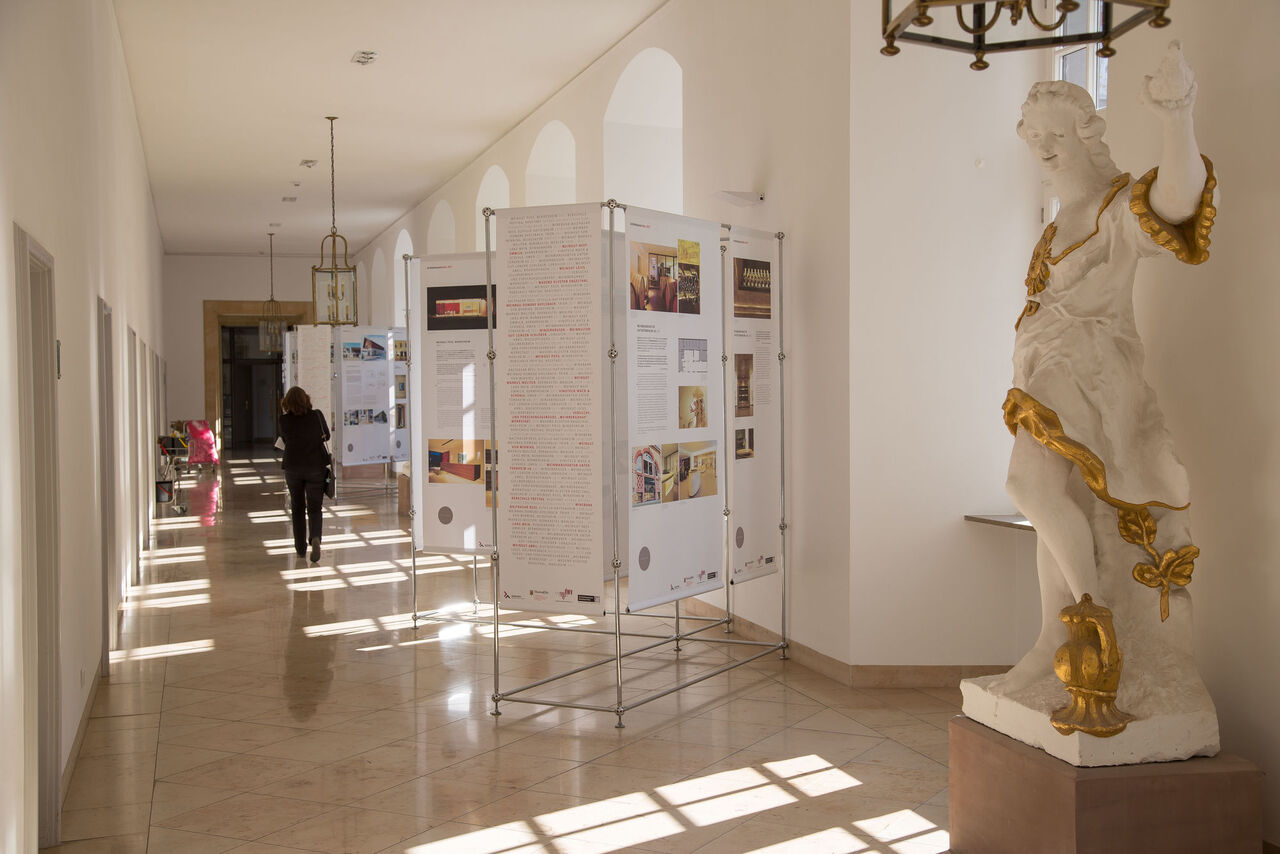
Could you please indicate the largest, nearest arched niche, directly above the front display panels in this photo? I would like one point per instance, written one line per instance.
(644, 134)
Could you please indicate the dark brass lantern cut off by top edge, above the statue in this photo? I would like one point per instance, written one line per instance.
(982, 20)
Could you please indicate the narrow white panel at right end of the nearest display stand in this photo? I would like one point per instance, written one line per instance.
(755, 404)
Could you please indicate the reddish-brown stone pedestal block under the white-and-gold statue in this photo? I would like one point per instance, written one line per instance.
(1009, 798)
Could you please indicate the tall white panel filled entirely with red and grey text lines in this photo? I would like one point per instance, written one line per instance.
(552, 398)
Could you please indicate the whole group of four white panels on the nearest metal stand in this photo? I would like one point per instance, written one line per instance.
(666, 458)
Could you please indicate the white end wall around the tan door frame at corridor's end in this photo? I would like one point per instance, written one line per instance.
(190, 280)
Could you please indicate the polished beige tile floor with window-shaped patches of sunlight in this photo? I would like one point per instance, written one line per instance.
(263, 706)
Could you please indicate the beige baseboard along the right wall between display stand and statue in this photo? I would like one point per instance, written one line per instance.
(852, 675)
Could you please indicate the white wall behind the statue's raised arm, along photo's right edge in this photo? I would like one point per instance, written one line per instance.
(1213, 354)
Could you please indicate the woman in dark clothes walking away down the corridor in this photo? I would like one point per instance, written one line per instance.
(304, 433)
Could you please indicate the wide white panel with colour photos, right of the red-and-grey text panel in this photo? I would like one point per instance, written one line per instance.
(675, 456)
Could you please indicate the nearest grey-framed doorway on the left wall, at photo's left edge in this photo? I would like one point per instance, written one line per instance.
(38, 404)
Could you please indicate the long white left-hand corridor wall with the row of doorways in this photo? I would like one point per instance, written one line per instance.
(74, 176)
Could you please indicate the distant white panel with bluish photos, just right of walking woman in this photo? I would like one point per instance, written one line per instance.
(364, 394)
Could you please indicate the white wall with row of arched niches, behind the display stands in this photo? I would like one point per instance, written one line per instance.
(778, 126)
